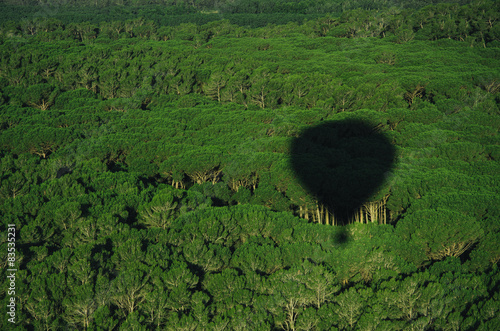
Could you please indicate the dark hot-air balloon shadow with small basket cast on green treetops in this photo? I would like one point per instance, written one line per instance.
(342, 164)
